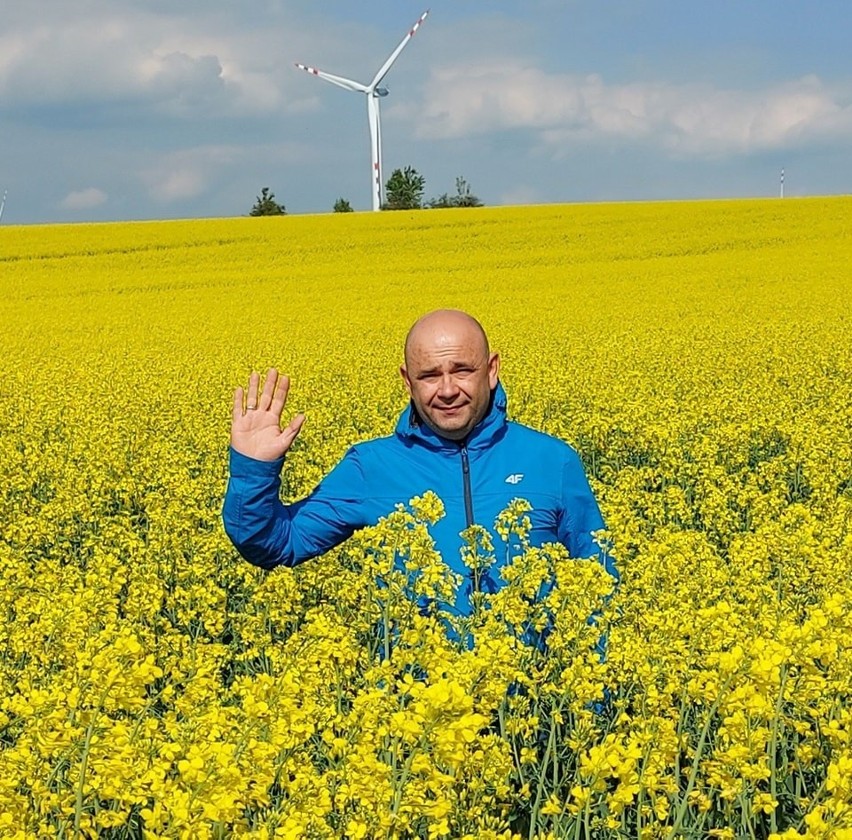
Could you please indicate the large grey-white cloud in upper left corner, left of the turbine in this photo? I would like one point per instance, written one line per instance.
(175, 60)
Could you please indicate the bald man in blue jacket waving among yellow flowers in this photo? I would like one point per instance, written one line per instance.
(454, 438)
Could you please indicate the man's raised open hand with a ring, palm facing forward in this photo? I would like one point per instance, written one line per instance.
(256, 429)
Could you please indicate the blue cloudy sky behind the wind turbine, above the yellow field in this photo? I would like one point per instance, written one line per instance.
(111, 109)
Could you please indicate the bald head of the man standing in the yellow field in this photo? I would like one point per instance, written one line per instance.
(449, 371)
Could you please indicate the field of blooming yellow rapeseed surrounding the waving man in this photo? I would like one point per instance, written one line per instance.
(153, 684)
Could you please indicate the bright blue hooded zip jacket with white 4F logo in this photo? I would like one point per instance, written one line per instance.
(476, 480)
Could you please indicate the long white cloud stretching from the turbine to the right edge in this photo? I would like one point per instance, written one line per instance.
(686, 119)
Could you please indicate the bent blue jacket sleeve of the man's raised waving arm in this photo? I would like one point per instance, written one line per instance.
(268, 533)
